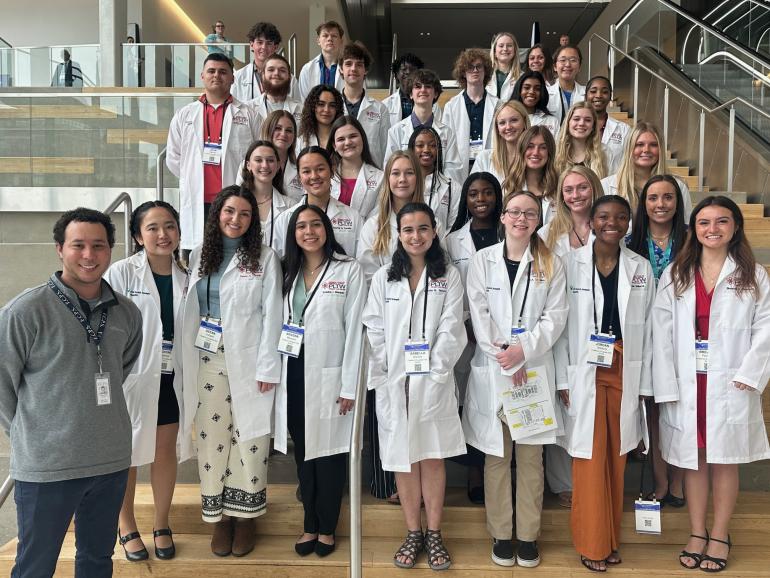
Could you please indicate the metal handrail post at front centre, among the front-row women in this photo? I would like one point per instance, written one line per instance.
(356, 441)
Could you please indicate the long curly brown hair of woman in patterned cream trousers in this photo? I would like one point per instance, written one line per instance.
(212, 252)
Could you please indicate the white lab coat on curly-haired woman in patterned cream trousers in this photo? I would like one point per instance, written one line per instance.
(251, 321)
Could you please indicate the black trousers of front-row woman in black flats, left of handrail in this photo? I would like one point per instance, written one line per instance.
(321, 480)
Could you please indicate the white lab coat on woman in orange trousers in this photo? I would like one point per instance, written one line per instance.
(636, 291)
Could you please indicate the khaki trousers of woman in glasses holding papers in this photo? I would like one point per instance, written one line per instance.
(529, 490)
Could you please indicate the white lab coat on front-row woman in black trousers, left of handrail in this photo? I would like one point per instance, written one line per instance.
(332, 348)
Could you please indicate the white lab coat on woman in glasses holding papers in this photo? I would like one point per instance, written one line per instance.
(494, 310)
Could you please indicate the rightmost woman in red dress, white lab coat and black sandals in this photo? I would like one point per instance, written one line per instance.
(715, 298)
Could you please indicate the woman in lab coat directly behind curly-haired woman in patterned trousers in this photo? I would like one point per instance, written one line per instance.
(261, 175)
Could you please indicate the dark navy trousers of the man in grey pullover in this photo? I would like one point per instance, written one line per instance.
(44, 512)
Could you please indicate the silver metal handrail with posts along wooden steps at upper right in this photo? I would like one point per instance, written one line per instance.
(705, 109)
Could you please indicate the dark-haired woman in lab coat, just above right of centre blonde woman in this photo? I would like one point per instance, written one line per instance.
(441, 192)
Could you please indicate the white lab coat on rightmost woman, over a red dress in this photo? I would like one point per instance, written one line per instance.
(739, 350)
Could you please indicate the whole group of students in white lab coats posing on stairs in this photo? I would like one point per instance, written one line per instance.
(511, 248)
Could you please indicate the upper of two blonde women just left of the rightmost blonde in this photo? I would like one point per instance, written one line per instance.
(579, 141)
